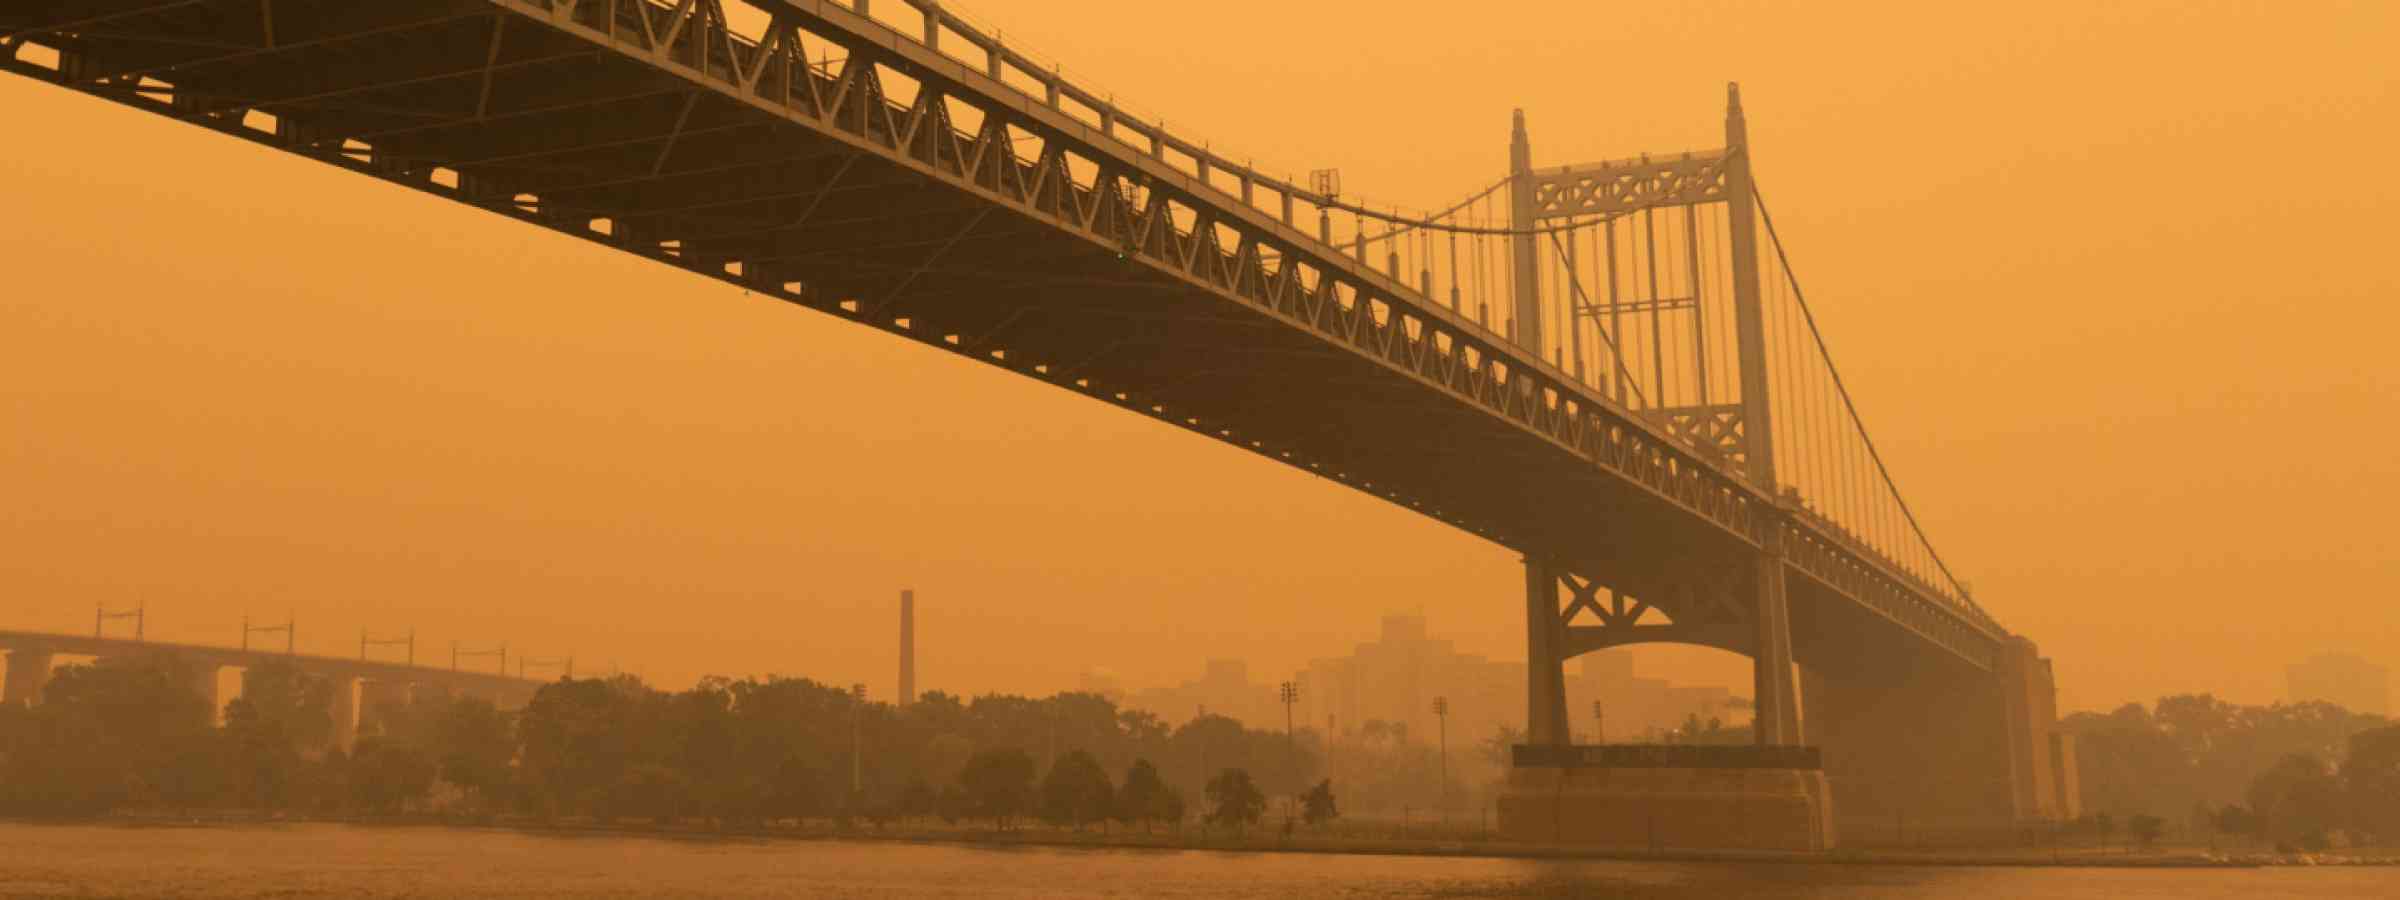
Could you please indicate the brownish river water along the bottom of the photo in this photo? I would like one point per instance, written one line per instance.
(462, 863)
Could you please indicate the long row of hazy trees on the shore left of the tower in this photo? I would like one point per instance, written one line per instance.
(128, 733)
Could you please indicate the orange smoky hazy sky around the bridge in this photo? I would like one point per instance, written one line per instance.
(2113, 284)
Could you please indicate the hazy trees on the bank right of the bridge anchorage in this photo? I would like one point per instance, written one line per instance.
(2298, 776)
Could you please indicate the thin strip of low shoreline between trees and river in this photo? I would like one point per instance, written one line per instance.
(1048, 839)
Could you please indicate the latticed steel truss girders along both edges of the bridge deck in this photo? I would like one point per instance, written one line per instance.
(1158, 217)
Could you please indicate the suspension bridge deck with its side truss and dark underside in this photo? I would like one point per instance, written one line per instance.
(860, 172)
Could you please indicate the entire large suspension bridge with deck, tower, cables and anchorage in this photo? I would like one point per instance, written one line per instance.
(1604, 366)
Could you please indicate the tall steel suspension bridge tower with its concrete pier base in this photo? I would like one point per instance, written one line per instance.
(1770, 796)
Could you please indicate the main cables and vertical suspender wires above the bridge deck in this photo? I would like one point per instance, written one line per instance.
(1633, 287)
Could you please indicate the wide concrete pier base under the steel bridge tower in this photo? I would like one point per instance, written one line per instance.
(1669, 808)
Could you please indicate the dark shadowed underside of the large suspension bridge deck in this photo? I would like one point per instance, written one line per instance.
(479, 104)
